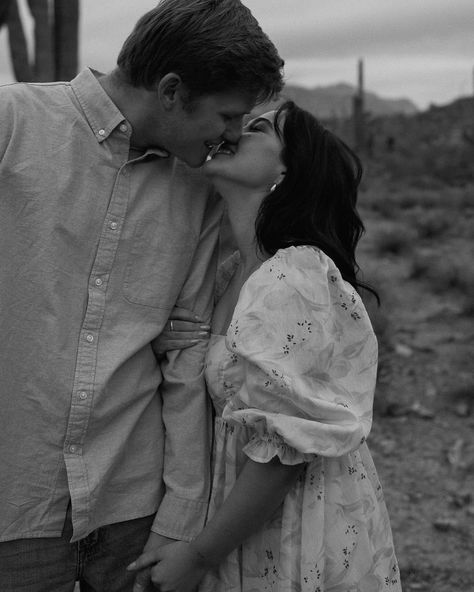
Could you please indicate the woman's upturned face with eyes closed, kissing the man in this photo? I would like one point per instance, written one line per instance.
(255, 162)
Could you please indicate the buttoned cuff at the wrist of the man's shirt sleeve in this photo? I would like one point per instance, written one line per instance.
(179, 518)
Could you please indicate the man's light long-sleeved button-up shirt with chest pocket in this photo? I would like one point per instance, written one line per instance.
(96, 247)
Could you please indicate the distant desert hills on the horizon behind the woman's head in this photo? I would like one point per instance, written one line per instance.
(426, 148)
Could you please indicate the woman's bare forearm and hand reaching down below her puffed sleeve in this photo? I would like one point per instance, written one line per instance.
(257, 493)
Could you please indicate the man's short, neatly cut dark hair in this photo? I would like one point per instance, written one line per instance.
(213, 45)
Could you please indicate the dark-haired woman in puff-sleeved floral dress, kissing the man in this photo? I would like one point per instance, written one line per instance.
(291, 368)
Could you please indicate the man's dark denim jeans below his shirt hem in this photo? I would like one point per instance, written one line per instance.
(98, 561)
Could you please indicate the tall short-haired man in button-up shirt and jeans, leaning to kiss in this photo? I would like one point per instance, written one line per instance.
(106, 225)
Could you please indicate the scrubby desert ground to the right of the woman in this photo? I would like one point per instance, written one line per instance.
(418, 252)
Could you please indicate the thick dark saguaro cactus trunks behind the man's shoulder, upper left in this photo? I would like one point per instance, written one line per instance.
(55, 43)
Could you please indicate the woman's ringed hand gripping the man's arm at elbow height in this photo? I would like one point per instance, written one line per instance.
(182, 330)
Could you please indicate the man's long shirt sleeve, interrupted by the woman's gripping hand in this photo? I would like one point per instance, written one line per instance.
(186, 410)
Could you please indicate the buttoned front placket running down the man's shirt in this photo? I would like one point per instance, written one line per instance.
(85, 374)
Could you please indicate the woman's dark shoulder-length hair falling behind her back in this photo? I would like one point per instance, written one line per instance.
(315, 204)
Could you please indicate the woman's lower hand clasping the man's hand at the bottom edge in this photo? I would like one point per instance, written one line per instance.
(176, 567)
